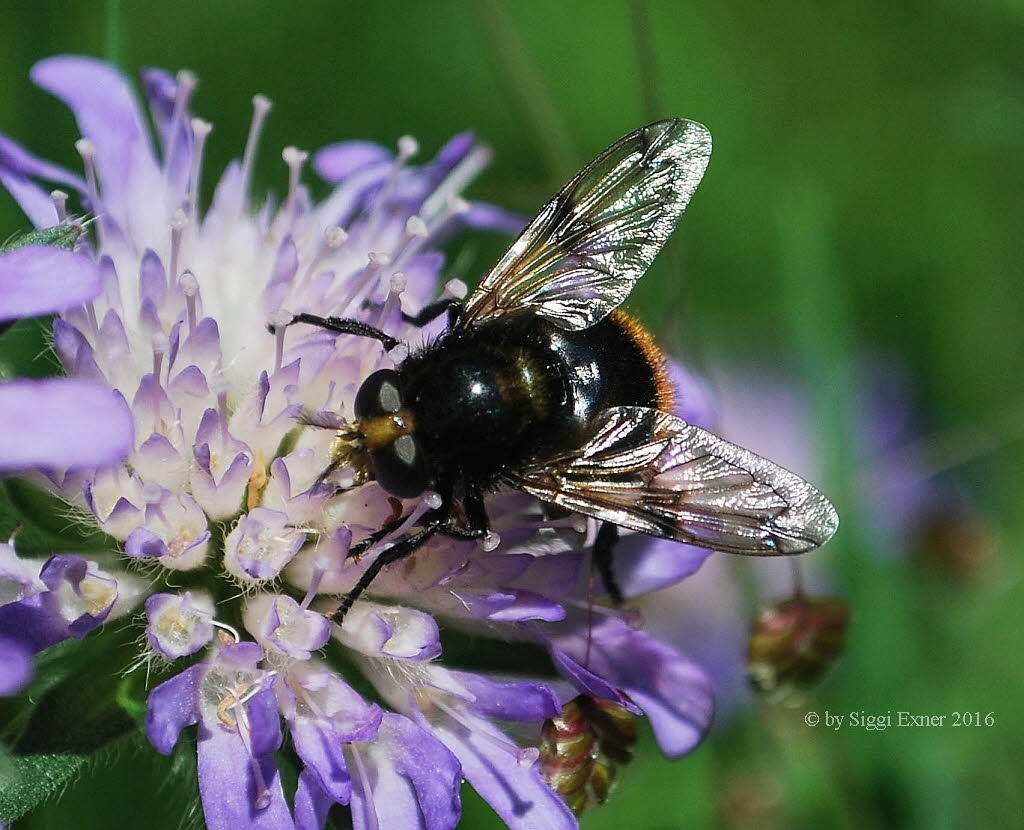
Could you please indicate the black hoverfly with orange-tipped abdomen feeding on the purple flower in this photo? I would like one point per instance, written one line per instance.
(541, 384)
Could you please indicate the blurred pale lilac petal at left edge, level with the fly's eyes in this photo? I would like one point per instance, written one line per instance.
(62, 423)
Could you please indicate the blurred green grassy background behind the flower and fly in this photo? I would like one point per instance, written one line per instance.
(865, 197)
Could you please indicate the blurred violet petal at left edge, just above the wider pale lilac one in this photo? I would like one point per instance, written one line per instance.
(40, 280)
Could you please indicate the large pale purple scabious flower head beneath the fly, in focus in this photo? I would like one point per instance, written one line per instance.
(225, 540)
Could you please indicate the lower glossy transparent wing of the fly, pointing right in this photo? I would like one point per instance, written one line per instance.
(653, 472)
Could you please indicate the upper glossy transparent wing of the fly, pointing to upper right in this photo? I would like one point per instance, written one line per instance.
(580, 258)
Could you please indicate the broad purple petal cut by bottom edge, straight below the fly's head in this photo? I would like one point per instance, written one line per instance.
(414, 781)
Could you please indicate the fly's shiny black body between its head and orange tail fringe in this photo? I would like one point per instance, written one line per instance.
(522, 390)
